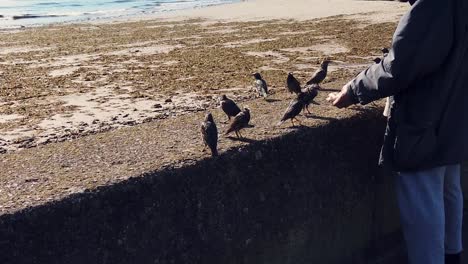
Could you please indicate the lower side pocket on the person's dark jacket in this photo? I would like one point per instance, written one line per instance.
(414, 146)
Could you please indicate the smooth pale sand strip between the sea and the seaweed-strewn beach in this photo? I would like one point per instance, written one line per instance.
(252, 10)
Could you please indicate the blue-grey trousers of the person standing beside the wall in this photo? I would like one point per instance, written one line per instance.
(431, 211)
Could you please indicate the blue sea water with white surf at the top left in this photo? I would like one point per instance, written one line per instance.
(15, 13)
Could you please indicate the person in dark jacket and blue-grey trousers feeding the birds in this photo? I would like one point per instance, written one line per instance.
(426, 138)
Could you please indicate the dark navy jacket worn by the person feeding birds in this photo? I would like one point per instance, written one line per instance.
(427, 73)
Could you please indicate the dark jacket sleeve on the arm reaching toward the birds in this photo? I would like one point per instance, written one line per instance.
(421, 43)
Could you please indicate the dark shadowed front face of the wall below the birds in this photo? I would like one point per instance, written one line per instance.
(312, 196)
